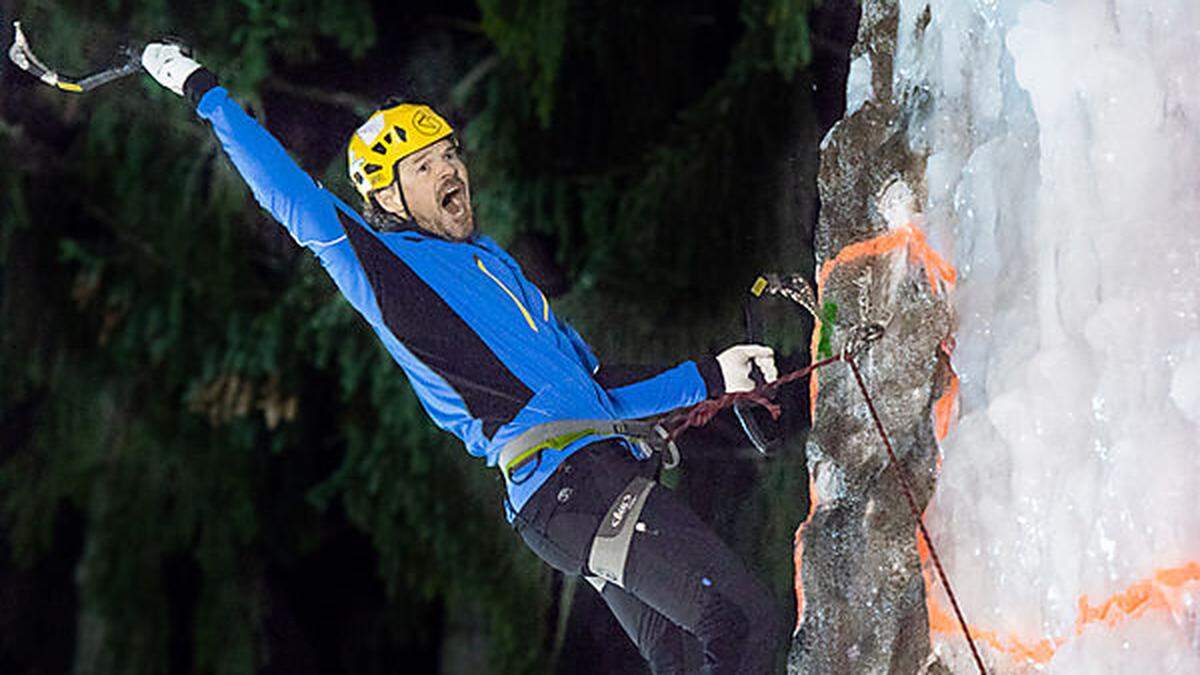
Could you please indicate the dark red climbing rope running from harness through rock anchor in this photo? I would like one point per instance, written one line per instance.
(705, 411)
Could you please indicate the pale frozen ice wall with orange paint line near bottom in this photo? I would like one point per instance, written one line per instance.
(1064, 182)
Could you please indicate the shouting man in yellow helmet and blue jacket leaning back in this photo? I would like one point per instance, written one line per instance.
(494, 366)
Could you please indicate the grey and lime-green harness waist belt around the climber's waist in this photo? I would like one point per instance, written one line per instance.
(526, 451)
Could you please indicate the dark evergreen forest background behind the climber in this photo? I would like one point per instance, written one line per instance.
(207, 462)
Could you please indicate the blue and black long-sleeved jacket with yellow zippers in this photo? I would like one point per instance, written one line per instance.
(481, 345)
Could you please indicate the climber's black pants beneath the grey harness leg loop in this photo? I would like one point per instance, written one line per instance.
(682, 583)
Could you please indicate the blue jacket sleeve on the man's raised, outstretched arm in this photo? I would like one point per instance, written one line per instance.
(310, 213)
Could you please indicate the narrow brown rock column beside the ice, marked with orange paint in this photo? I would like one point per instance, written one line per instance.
(863, 598)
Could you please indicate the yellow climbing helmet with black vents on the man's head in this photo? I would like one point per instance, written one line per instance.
(388, 136)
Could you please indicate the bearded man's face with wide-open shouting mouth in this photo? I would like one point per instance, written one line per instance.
(437, 190)
